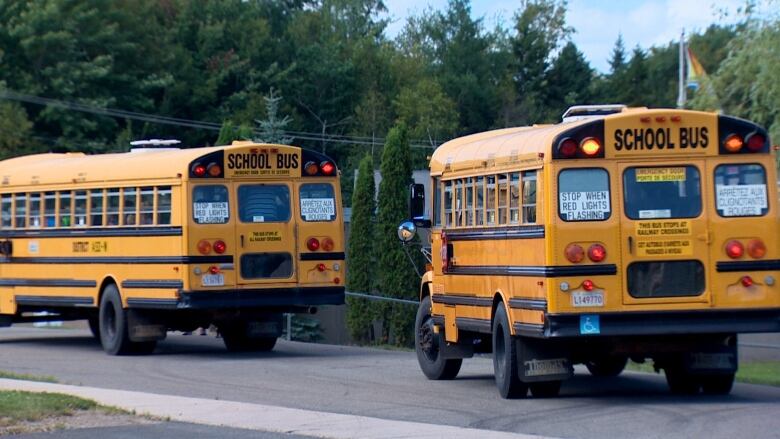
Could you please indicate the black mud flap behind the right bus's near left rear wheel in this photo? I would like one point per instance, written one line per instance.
(542, 360)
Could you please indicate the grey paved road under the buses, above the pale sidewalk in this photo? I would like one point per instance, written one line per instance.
(389, 385)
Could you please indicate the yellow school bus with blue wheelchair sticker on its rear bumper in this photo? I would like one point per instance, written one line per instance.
(620, 233)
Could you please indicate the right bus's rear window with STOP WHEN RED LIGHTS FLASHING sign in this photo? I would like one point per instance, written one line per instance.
(583, 195)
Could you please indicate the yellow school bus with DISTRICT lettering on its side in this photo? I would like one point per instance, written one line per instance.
(161, 239)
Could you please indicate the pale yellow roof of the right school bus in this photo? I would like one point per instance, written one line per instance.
(509, 144)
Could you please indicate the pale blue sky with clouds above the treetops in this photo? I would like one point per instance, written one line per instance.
(597, 23)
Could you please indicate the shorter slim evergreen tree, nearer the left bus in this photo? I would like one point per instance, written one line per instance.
(360, 256)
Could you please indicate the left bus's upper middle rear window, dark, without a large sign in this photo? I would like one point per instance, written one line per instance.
(263, 203)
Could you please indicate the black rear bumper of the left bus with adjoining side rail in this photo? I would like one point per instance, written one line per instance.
(243, 299)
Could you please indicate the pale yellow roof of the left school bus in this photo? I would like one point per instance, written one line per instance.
(76, 167)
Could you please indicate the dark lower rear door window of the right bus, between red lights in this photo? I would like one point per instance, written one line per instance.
(665, 279)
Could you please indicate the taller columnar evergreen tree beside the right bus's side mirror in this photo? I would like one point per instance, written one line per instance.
(397, 278)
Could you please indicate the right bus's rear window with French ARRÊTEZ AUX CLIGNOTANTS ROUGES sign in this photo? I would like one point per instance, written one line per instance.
(740, 190)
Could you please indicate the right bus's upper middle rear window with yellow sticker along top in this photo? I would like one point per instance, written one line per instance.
(662, 192)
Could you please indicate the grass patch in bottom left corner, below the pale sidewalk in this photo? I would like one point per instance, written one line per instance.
(17, 407)
